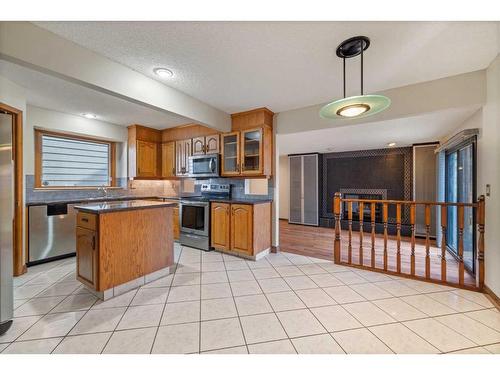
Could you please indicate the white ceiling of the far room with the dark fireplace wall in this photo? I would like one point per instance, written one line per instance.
(404, 131)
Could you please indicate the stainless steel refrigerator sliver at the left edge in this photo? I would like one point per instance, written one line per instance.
(6, 222)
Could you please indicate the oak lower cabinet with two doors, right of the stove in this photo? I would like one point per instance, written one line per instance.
(241, 228)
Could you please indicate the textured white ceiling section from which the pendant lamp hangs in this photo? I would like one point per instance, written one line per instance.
(236, 66)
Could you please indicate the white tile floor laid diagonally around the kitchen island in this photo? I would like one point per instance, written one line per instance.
(284, 303)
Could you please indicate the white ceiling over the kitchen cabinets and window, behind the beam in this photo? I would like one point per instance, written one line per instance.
(49, 92)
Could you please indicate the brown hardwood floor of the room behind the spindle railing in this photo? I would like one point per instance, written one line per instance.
(318, 242)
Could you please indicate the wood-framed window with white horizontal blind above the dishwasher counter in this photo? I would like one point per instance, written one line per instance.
(64, 161)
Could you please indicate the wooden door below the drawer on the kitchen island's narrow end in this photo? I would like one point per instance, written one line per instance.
(87, 256)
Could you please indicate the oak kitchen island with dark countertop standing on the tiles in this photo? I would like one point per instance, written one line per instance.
(123, 245)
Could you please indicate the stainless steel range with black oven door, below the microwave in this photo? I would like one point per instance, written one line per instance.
(194, 215)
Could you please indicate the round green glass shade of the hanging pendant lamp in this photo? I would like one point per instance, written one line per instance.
(354, 107)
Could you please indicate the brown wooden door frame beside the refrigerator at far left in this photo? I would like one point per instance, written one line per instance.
(19, 266)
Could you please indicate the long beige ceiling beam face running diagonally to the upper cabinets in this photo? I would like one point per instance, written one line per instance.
(26, 42)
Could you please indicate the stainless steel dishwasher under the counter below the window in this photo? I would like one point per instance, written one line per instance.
(51, 233)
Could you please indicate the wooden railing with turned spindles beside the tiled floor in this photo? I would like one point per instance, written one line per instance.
(449, 269)
